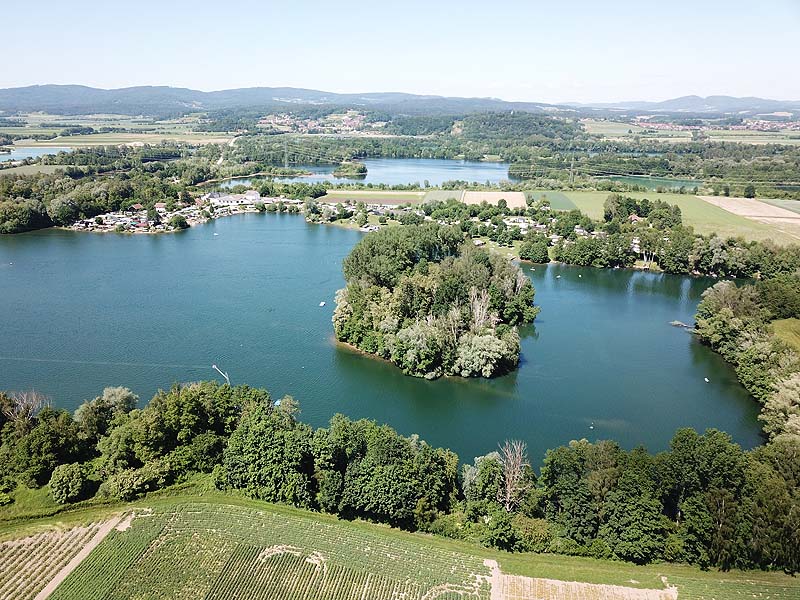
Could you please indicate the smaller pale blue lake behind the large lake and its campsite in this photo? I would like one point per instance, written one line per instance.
(400, 171)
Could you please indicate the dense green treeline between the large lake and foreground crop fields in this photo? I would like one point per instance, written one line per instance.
(704, 501)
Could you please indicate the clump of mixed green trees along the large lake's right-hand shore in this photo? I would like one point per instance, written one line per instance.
(735, 321)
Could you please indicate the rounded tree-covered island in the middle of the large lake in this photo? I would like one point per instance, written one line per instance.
(433, 304)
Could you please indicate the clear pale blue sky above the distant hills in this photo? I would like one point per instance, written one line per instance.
(551, 51)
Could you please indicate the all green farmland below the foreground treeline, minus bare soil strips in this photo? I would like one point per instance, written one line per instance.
(219, 546)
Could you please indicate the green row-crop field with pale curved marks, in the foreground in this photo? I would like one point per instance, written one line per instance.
(225, 552)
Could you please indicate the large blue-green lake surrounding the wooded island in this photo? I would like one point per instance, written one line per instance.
(82, 311)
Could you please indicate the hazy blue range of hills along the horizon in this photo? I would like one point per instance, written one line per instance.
(170, 101)
